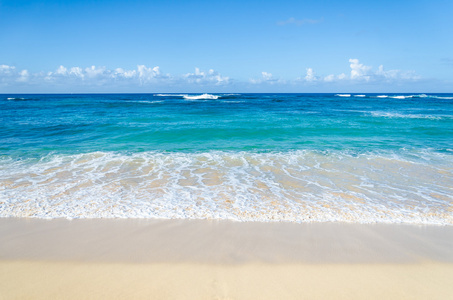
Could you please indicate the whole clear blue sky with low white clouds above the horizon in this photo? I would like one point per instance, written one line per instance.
(226, 46)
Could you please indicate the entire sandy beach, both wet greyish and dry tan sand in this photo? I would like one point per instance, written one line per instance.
(182, 259)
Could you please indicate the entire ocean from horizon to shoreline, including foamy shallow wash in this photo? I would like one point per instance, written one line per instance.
(366, 158)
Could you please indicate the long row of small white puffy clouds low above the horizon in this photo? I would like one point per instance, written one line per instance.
(101, 78)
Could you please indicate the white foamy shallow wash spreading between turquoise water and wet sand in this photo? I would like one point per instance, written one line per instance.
(295, 186)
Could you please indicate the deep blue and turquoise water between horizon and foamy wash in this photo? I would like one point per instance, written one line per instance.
(36, 124)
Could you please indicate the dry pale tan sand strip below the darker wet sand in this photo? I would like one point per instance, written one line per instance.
(71, 280)
